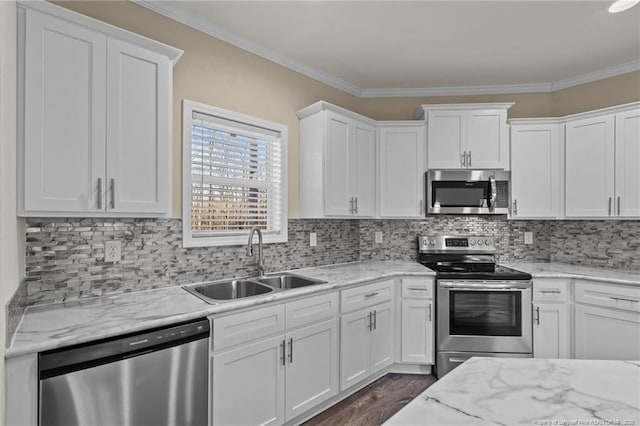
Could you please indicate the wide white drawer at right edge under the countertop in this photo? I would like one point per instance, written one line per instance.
(608, 295)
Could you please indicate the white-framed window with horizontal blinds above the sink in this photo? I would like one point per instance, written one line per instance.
(234, 177)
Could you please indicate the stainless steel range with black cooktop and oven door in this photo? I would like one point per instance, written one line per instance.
(482, 309)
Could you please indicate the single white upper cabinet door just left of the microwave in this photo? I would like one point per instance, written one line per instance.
(401, 171)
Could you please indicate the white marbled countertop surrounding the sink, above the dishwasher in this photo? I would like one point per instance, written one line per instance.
(45, 327)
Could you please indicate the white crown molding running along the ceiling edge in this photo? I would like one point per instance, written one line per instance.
(165, 9)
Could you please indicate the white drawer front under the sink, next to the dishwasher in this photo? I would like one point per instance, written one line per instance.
(243, 327)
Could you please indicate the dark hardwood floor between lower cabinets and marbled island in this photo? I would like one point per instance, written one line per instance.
(374, 404)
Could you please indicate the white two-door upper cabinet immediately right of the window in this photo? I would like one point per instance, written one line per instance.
(337, 162)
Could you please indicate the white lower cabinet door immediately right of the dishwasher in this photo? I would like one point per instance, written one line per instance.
(252, 374)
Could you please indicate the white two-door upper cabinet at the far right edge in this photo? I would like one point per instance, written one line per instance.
(602, 160)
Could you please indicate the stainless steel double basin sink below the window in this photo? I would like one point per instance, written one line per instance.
(220, 291)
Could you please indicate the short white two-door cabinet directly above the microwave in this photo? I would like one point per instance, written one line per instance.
(466, 136)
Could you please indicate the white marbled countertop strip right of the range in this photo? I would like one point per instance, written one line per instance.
(564, 270)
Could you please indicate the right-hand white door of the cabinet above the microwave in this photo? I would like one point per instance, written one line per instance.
(487, 140)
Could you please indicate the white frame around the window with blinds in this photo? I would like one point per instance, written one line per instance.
(188, 240)
